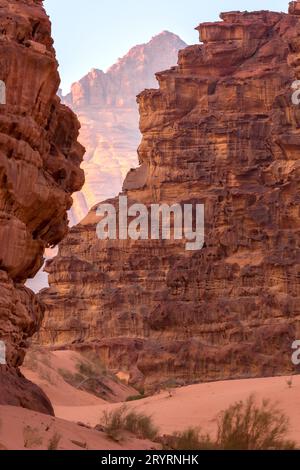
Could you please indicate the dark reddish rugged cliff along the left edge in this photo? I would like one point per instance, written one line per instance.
(39, 170)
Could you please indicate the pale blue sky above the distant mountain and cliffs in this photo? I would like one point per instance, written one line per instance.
(95, 33)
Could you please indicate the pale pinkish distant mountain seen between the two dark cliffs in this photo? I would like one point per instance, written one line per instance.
(106, 107)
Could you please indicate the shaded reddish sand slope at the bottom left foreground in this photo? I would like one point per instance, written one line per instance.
(26, 430)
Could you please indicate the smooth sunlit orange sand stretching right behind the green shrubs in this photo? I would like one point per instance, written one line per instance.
(199, 405)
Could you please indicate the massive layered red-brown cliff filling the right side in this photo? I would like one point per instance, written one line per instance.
(221, 130)
